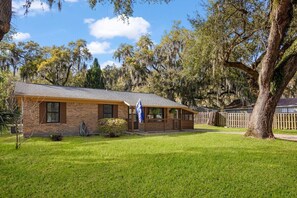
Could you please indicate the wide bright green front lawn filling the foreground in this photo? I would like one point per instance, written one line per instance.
(180, 165)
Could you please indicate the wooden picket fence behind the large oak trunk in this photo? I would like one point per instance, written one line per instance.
(240, 120)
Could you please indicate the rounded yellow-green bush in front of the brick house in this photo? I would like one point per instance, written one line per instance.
(112, 127)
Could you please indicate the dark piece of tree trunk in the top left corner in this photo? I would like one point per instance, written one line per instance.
(5, 17)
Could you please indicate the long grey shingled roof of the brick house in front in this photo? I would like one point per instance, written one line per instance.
(130, 98)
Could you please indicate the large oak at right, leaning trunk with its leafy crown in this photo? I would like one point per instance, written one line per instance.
(259, 38)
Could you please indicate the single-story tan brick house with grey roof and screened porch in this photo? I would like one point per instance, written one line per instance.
(48, 109)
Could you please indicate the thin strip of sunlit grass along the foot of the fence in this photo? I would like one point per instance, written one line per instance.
(205, 127)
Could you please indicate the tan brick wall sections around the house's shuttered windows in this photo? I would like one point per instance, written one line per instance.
(75, 113)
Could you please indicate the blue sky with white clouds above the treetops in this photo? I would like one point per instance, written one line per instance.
(99, 27)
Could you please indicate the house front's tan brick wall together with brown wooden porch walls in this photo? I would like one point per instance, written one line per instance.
(79, 111)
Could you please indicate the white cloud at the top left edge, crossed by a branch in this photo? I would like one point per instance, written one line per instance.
(35, 8)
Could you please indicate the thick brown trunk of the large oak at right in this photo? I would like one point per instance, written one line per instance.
(274, 75)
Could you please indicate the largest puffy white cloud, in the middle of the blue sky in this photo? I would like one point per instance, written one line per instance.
(108, 28)
